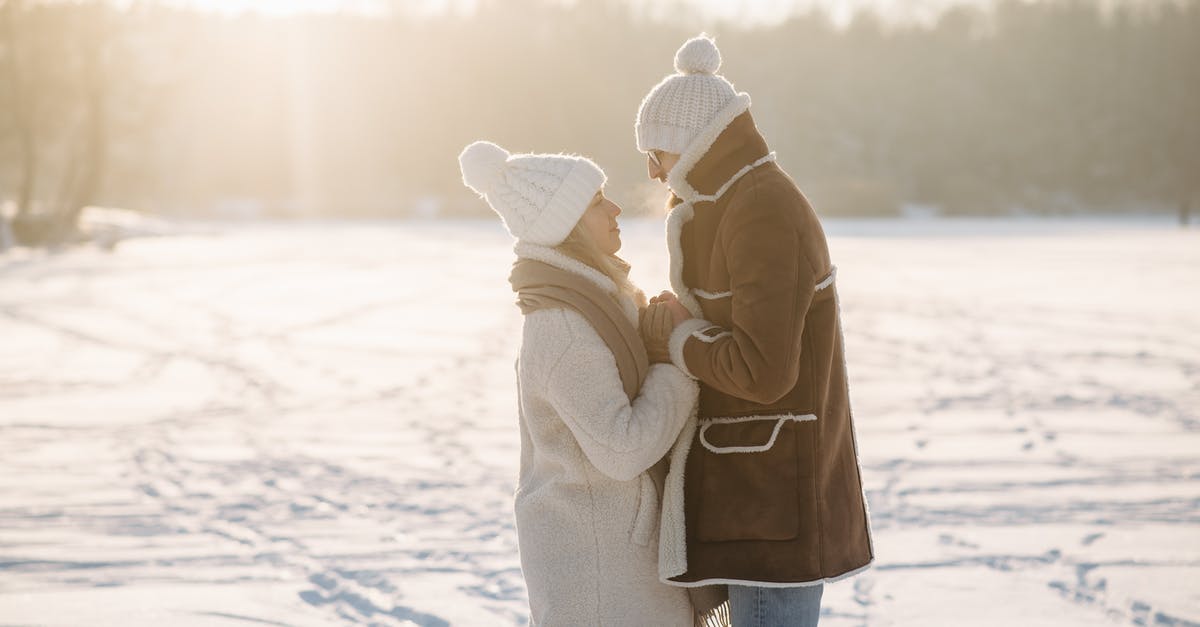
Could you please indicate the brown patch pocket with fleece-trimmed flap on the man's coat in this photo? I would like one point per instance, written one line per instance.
(752, 476)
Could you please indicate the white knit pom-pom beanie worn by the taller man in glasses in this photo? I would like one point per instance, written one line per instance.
(686, 104)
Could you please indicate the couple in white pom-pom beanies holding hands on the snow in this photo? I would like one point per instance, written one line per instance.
(691, 461)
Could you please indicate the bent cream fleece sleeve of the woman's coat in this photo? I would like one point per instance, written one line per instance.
(621, 439)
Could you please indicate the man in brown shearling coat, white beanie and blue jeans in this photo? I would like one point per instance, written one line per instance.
(773, 503)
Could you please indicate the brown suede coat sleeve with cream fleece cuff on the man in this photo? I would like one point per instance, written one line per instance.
(772, 285)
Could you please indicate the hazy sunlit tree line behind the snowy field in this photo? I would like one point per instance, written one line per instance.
(1046, 108)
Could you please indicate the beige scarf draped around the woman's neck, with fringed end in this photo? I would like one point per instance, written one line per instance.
(543, 286)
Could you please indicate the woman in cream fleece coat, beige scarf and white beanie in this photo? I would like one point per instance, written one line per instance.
(597, 414)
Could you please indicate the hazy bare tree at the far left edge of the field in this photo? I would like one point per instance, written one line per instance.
(74, 81)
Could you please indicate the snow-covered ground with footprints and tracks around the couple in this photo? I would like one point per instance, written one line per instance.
(316, 425)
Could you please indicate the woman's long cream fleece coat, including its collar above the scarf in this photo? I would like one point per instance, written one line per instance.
(587, 512)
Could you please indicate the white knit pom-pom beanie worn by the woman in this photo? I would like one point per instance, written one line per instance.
(539, 198)
